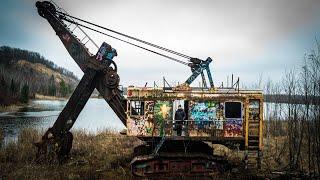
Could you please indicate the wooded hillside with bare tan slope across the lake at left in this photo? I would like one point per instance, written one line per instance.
(25, 73)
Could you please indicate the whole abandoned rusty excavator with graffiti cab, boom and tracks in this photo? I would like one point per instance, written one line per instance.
(213, 115)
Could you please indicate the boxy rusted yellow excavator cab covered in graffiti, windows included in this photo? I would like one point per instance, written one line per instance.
(211, 115)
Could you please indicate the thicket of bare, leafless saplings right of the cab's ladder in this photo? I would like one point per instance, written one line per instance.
(293, 127)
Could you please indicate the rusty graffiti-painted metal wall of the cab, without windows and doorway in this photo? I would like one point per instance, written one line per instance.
(206, 114)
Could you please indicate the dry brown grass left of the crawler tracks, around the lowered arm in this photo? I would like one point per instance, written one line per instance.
(103, 156)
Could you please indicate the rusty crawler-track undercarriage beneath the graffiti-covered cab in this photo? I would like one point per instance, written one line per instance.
(177, 158)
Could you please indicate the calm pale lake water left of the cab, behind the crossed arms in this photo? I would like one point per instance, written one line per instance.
(96, 116)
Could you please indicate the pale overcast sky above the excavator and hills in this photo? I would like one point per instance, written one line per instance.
(246, 38)
